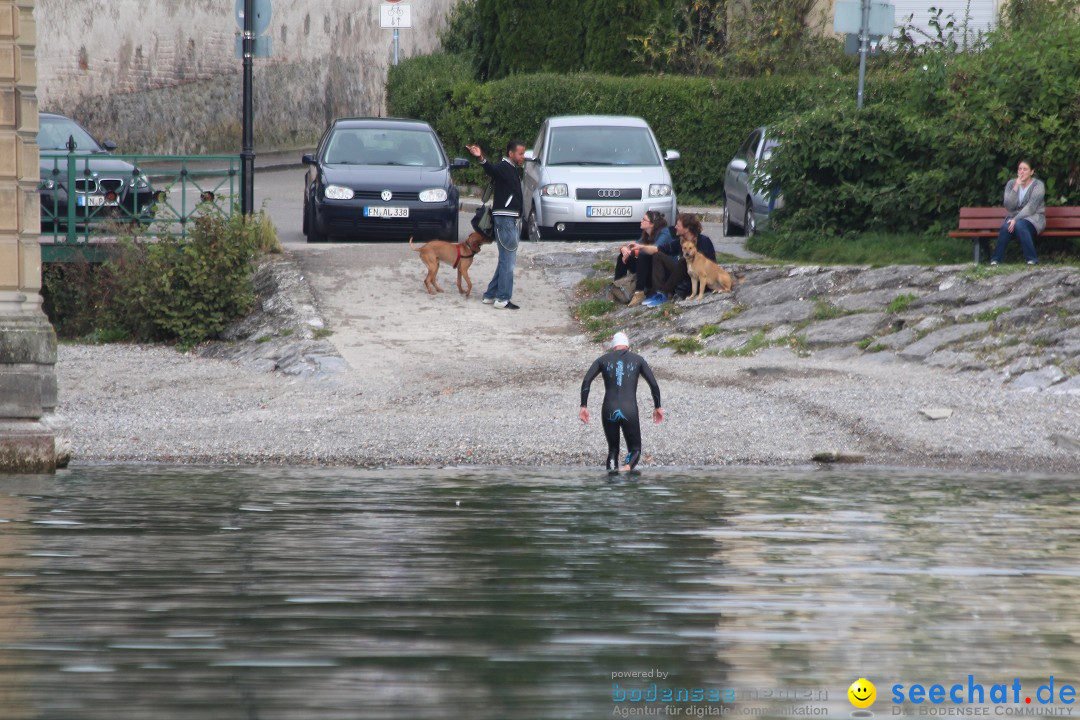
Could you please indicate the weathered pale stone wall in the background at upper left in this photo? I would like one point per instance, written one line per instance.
(163, 76)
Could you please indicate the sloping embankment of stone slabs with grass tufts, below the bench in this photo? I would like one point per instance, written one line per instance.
(1019, 327)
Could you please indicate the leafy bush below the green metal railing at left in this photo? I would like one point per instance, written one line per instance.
(184, 291)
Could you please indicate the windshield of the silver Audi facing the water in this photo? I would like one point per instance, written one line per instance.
(602, 146)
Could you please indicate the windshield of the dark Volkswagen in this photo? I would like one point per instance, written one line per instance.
(370, 146)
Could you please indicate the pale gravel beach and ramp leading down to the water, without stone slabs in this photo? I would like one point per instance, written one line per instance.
(352, 363)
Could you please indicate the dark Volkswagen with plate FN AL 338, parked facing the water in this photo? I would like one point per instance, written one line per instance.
(381, 179)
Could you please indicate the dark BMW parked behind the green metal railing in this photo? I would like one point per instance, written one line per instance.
(105, 187)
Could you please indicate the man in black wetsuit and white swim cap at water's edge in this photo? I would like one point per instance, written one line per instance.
(622, 370)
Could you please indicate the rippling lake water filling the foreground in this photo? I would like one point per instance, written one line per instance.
(528, 593)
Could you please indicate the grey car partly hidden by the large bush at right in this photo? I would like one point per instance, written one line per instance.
(748, 200)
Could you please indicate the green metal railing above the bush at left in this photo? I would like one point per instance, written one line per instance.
(128, 196)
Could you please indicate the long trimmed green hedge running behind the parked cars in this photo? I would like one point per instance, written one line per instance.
(705, 119)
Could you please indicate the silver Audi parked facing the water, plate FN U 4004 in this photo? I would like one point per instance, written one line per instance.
(596, 176)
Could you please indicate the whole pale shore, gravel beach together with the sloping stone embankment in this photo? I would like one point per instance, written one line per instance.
(347, 362)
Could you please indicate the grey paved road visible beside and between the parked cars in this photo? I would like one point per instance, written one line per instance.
(281, 193)
